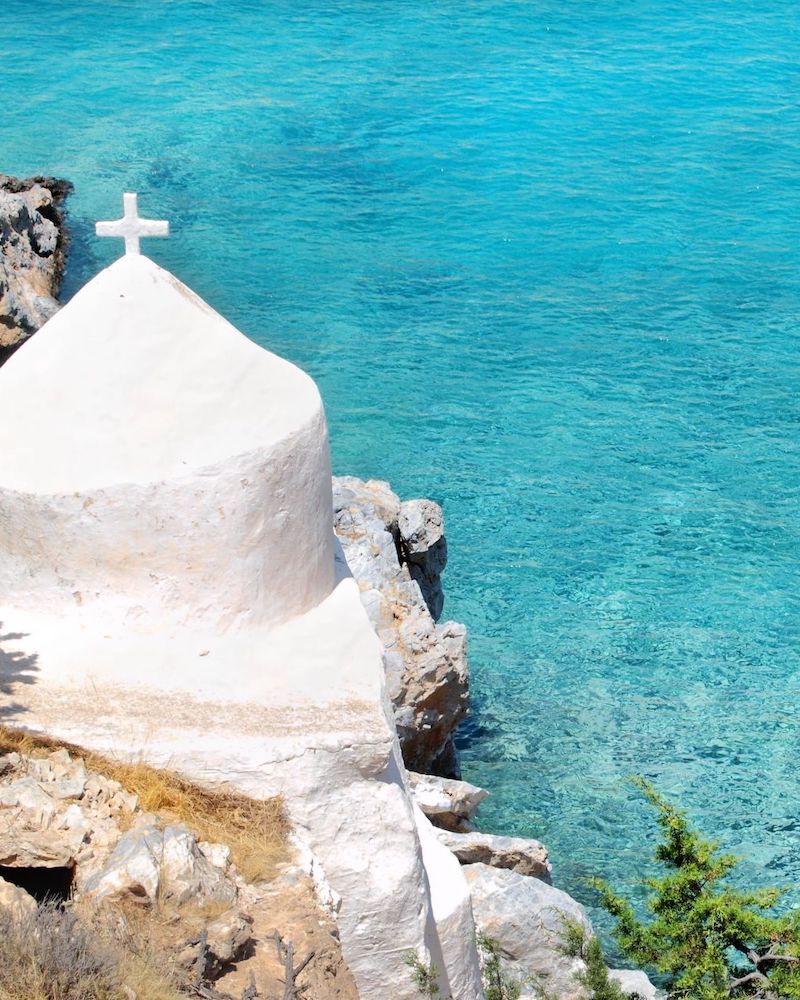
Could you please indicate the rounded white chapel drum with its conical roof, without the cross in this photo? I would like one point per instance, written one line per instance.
(157, 468)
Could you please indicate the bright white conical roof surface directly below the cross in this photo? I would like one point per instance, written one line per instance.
(137, 379)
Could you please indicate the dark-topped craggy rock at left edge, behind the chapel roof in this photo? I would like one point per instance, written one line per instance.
(32, 255)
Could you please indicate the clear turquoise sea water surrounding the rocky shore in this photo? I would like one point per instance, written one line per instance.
(544, 261)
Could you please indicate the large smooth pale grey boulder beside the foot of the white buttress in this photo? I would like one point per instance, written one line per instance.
(526, 917)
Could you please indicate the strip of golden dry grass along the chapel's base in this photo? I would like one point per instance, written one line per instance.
(255, 830)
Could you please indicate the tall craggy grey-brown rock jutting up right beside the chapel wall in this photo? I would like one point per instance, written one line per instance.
(397, 568)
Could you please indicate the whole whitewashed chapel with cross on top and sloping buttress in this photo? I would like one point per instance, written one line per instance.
(170, 579)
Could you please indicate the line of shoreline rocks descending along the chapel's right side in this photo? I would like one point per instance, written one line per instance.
(397, 551)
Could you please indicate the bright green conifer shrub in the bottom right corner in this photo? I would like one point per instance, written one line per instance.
(711, 940)
